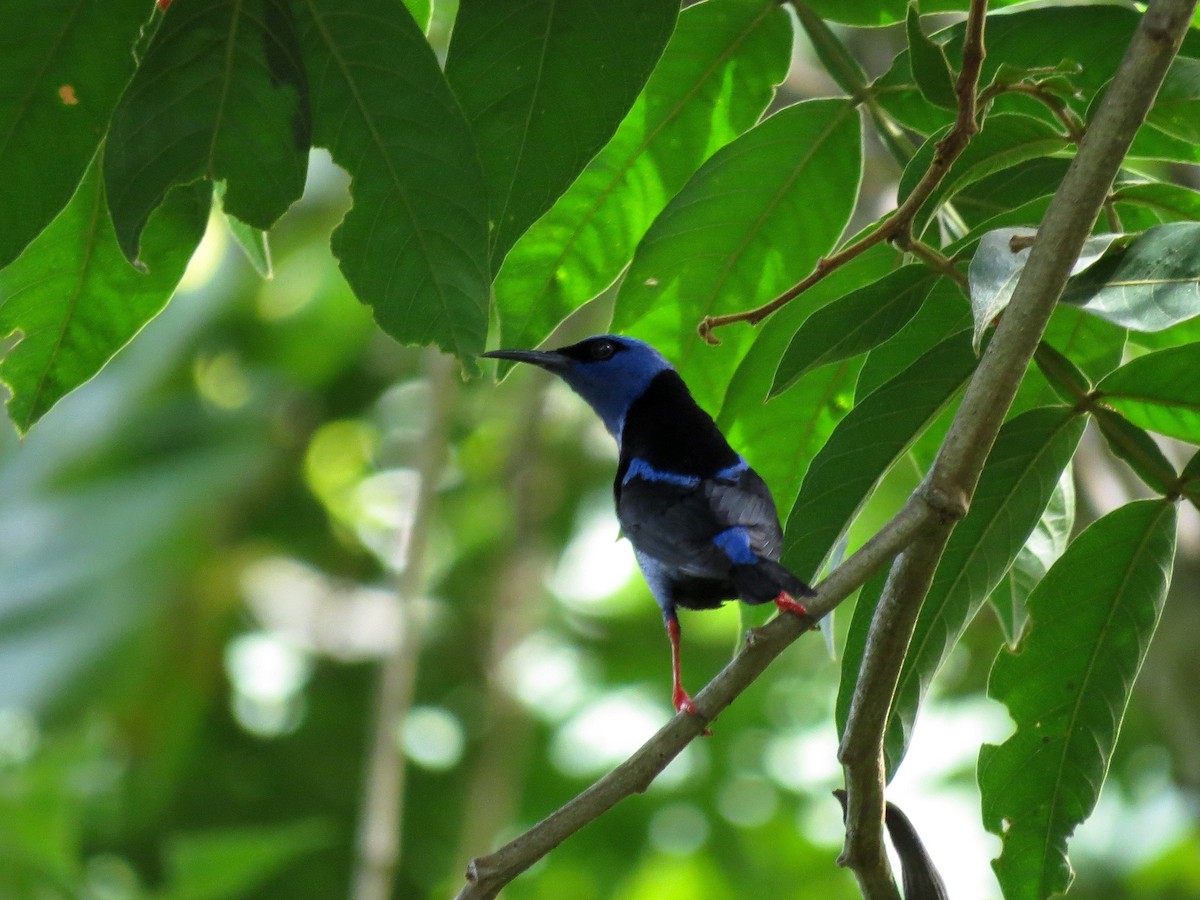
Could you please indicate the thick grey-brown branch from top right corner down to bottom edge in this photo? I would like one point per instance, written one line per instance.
(1069, 221)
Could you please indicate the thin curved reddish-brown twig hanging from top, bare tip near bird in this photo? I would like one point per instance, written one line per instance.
(899, 224)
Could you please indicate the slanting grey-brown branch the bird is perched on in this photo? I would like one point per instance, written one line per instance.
(488, 875)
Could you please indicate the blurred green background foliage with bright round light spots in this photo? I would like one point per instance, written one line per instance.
(199, 569)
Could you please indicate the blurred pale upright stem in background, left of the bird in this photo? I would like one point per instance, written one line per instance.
(383, 791)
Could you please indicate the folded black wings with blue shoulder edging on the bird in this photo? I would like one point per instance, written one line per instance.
(675, 519)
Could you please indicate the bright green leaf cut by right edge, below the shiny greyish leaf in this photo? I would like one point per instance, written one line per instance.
(1160, 392)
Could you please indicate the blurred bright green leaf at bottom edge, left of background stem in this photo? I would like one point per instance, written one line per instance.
(235, 862)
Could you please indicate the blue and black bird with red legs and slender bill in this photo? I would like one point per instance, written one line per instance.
(703, 523)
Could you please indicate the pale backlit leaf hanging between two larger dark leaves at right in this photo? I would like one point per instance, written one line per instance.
(1046, 544)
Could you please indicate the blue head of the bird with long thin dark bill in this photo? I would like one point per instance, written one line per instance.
(609, 371)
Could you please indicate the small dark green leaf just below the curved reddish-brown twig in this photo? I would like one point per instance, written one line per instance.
(855, 323)
